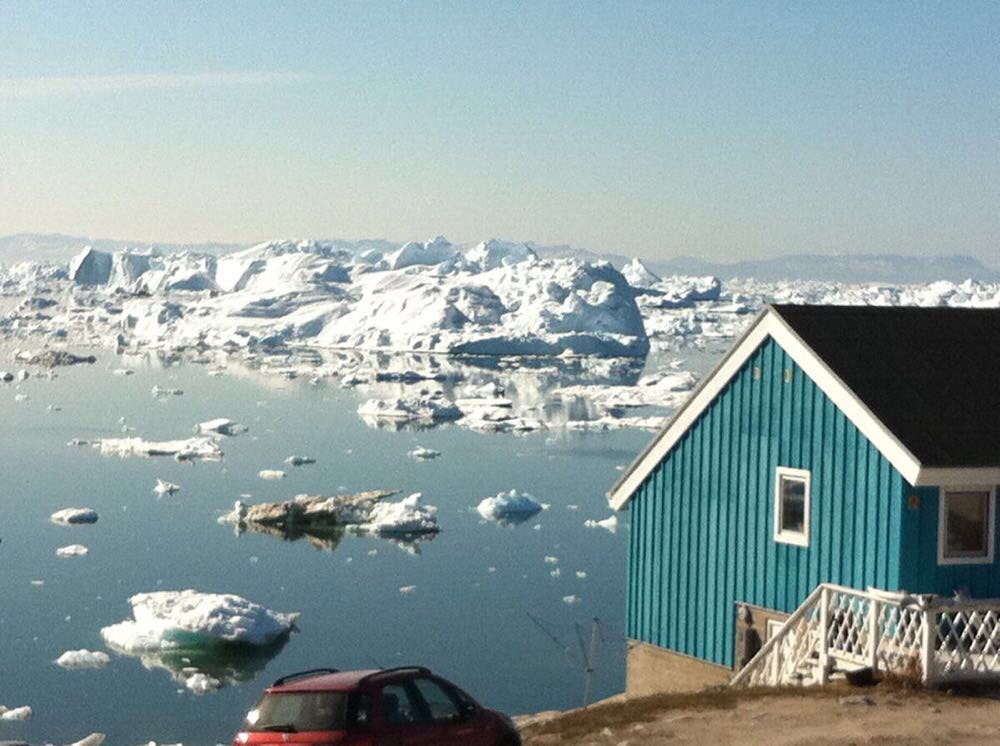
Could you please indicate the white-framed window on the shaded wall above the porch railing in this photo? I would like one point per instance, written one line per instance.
(966, 526)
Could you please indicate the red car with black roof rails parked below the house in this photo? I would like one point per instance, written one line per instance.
(407, 706)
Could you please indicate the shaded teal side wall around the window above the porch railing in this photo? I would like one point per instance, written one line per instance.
(921, 572)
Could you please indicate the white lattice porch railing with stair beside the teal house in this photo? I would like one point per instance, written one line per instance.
(838, 629)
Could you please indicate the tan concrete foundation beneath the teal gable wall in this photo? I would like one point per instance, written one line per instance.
(652, 670)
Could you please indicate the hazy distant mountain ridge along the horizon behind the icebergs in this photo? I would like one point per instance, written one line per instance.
(889, 268)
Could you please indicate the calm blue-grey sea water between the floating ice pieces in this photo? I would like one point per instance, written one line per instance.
(506, 635)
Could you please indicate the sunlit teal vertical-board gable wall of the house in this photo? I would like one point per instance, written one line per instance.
(702, 534)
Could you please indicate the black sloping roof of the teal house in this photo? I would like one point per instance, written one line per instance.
(931, 375)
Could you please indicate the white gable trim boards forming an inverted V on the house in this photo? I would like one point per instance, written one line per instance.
(768, 324)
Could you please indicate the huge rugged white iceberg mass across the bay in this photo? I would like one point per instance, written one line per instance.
(495, 299)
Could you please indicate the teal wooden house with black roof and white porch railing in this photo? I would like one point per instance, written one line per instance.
(824, 501)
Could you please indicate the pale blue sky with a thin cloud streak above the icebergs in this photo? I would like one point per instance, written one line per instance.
(717, 129)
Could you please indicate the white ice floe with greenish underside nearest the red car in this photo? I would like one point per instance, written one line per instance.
(165, 620)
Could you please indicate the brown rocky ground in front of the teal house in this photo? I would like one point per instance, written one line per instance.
(877, 715)
